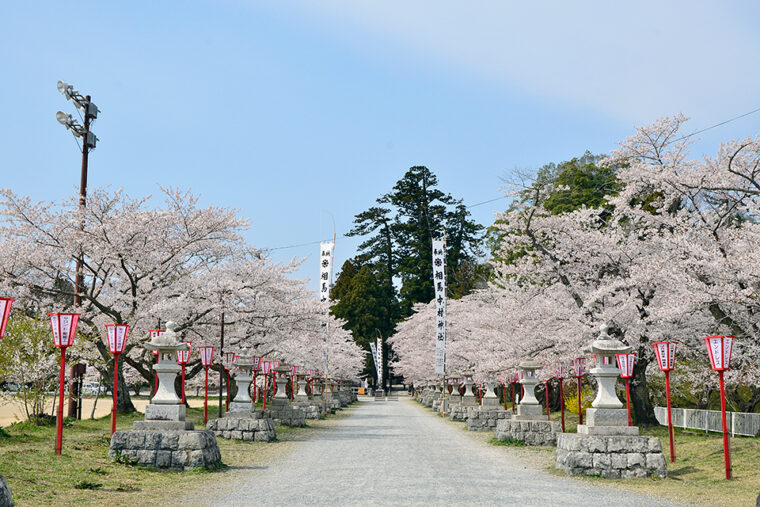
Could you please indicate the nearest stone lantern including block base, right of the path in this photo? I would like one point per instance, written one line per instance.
(606, 445)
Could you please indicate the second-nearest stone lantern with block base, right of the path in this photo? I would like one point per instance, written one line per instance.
(528, 425)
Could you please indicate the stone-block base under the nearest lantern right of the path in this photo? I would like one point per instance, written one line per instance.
(611, 457)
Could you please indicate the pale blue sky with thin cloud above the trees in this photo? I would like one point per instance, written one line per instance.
(290, 110)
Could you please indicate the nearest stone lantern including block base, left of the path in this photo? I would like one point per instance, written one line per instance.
(164, 439)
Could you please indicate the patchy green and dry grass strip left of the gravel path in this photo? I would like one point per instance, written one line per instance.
(83, 473)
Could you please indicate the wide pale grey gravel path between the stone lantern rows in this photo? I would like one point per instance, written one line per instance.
(397, 453)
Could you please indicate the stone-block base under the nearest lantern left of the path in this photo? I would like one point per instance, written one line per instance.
(173, 450)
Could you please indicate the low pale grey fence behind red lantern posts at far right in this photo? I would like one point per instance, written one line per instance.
(739, 423)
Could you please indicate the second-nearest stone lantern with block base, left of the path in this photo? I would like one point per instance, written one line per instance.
(241, 422)
